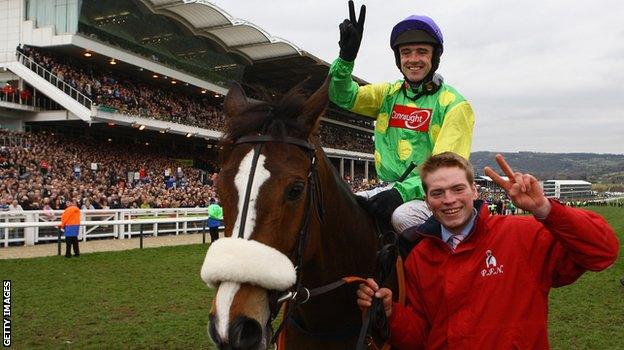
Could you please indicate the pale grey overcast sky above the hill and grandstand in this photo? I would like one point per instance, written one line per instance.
(542, 76)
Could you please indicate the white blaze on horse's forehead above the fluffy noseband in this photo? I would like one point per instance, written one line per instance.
(260, 176)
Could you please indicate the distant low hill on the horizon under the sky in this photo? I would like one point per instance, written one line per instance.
(592, 167)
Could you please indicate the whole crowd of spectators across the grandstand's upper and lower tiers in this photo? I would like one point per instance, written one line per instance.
(45, 170)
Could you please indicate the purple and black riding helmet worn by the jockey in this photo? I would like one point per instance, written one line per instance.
(417, 29)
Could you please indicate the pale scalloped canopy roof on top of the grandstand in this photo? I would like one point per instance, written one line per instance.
(270, 61)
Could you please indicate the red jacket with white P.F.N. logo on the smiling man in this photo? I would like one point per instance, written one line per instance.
(492, 292)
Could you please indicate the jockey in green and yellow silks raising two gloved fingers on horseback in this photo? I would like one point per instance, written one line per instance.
(417, 116)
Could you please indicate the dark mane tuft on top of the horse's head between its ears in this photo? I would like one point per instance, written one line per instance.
(277, 117)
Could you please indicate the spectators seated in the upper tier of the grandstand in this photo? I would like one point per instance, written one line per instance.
(127, 95)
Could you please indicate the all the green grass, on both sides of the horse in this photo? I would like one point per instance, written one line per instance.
(154, 298)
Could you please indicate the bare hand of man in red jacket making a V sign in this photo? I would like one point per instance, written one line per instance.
(523, 189)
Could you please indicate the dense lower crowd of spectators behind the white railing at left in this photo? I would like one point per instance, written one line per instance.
(41, 171)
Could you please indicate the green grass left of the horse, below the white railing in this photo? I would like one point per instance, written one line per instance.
(150, 298)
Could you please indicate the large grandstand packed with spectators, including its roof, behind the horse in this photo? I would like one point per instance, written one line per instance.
(113, 87)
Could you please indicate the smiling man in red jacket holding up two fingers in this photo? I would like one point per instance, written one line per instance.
(477, 281)
